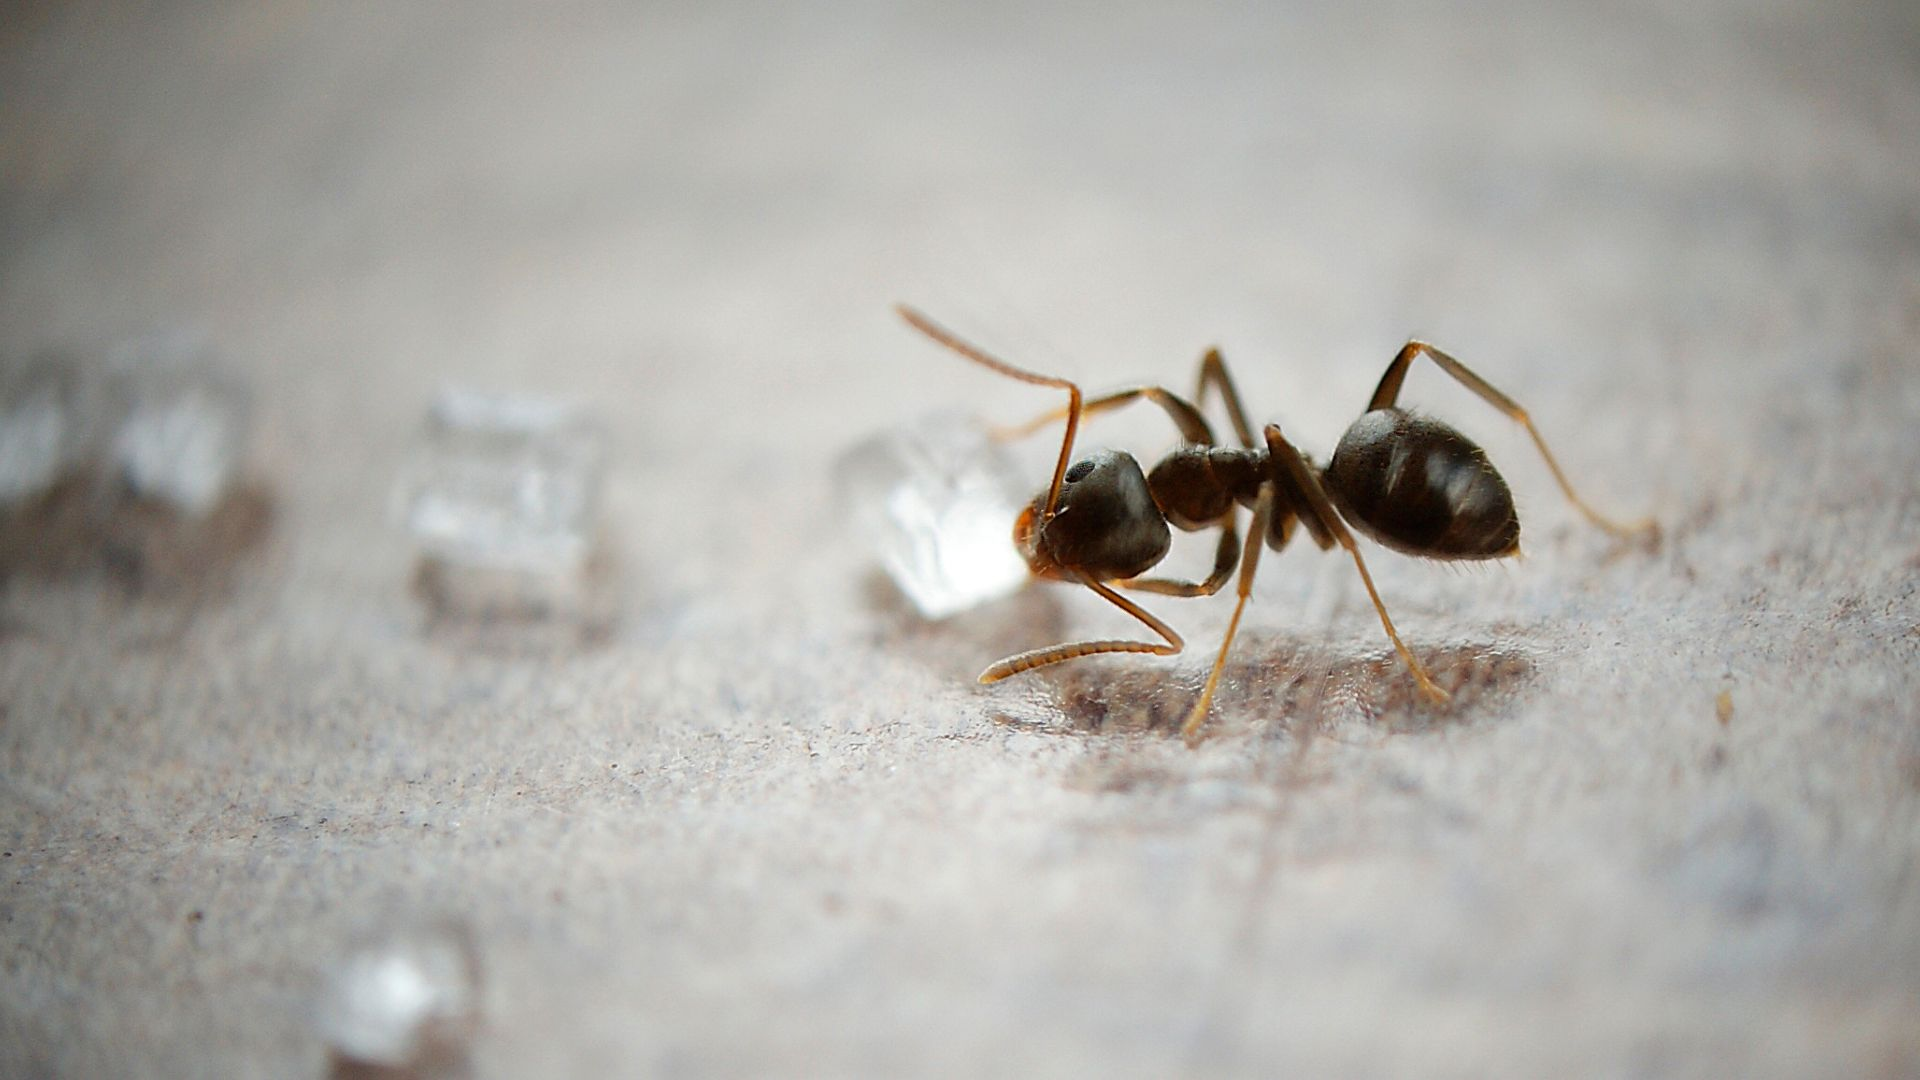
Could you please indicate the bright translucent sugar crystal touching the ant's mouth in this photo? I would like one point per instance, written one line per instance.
(936, 501)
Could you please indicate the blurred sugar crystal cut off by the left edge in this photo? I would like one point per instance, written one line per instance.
(41, 428)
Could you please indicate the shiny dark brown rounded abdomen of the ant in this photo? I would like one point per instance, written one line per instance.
(1424, 489)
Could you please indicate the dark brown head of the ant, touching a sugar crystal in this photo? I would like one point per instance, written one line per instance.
(1105, 524)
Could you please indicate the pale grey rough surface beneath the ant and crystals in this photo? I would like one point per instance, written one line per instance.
(767, 823)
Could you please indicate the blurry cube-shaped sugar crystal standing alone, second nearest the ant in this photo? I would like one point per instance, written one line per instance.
(502, 497)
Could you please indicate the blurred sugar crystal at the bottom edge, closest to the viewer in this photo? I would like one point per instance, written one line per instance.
(406, 998)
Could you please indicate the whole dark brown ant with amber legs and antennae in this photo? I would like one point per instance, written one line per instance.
(1410, 483)
